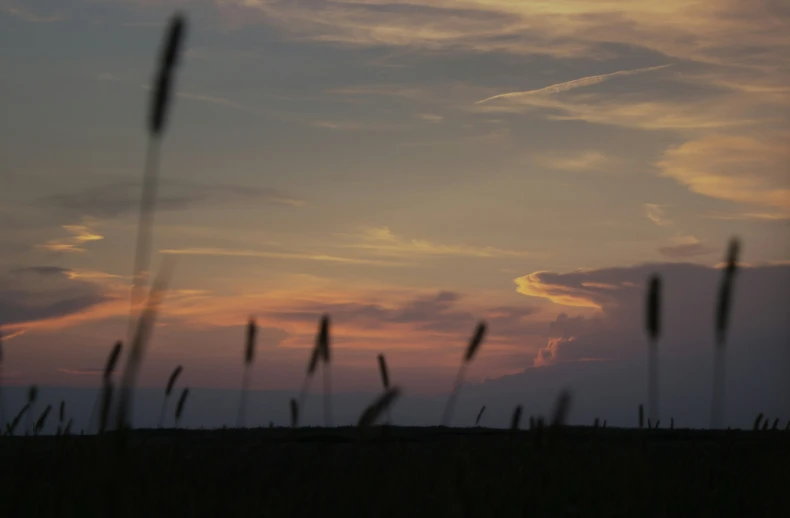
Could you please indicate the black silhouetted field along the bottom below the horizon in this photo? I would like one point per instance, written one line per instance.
(399, 472)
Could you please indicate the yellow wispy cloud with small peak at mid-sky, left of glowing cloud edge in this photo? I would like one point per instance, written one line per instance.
(382, 241)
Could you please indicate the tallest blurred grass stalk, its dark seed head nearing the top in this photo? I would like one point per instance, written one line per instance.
(157, 120)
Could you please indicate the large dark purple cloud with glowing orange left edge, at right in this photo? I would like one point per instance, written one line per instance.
(688, 302)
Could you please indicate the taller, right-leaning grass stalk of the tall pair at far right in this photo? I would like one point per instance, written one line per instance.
(723, 303)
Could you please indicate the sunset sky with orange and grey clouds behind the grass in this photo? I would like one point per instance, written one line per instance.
(410, 167)
